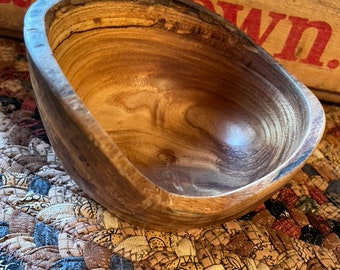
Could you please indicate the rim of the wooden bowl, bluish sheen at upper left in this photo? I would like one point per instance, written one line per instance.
(41, 57)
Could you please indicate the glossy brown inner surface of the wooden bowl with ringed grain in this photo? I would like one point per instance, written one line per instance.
(194, 111)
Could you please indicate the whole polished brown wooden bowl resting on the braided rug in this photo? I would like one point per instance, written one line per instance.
(165, 113)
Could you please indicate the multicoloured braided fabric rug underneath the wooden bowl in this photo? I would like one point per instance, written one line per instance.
(47, 222)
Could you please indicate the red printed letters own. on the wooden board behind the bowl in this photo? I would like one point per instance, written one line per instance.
(252, 24)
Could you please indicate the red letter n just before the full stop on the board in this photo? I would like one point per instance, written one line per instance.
(299, 25)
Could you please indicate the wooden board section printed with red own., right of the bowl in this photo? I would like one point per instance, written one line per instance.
(304, 36)
